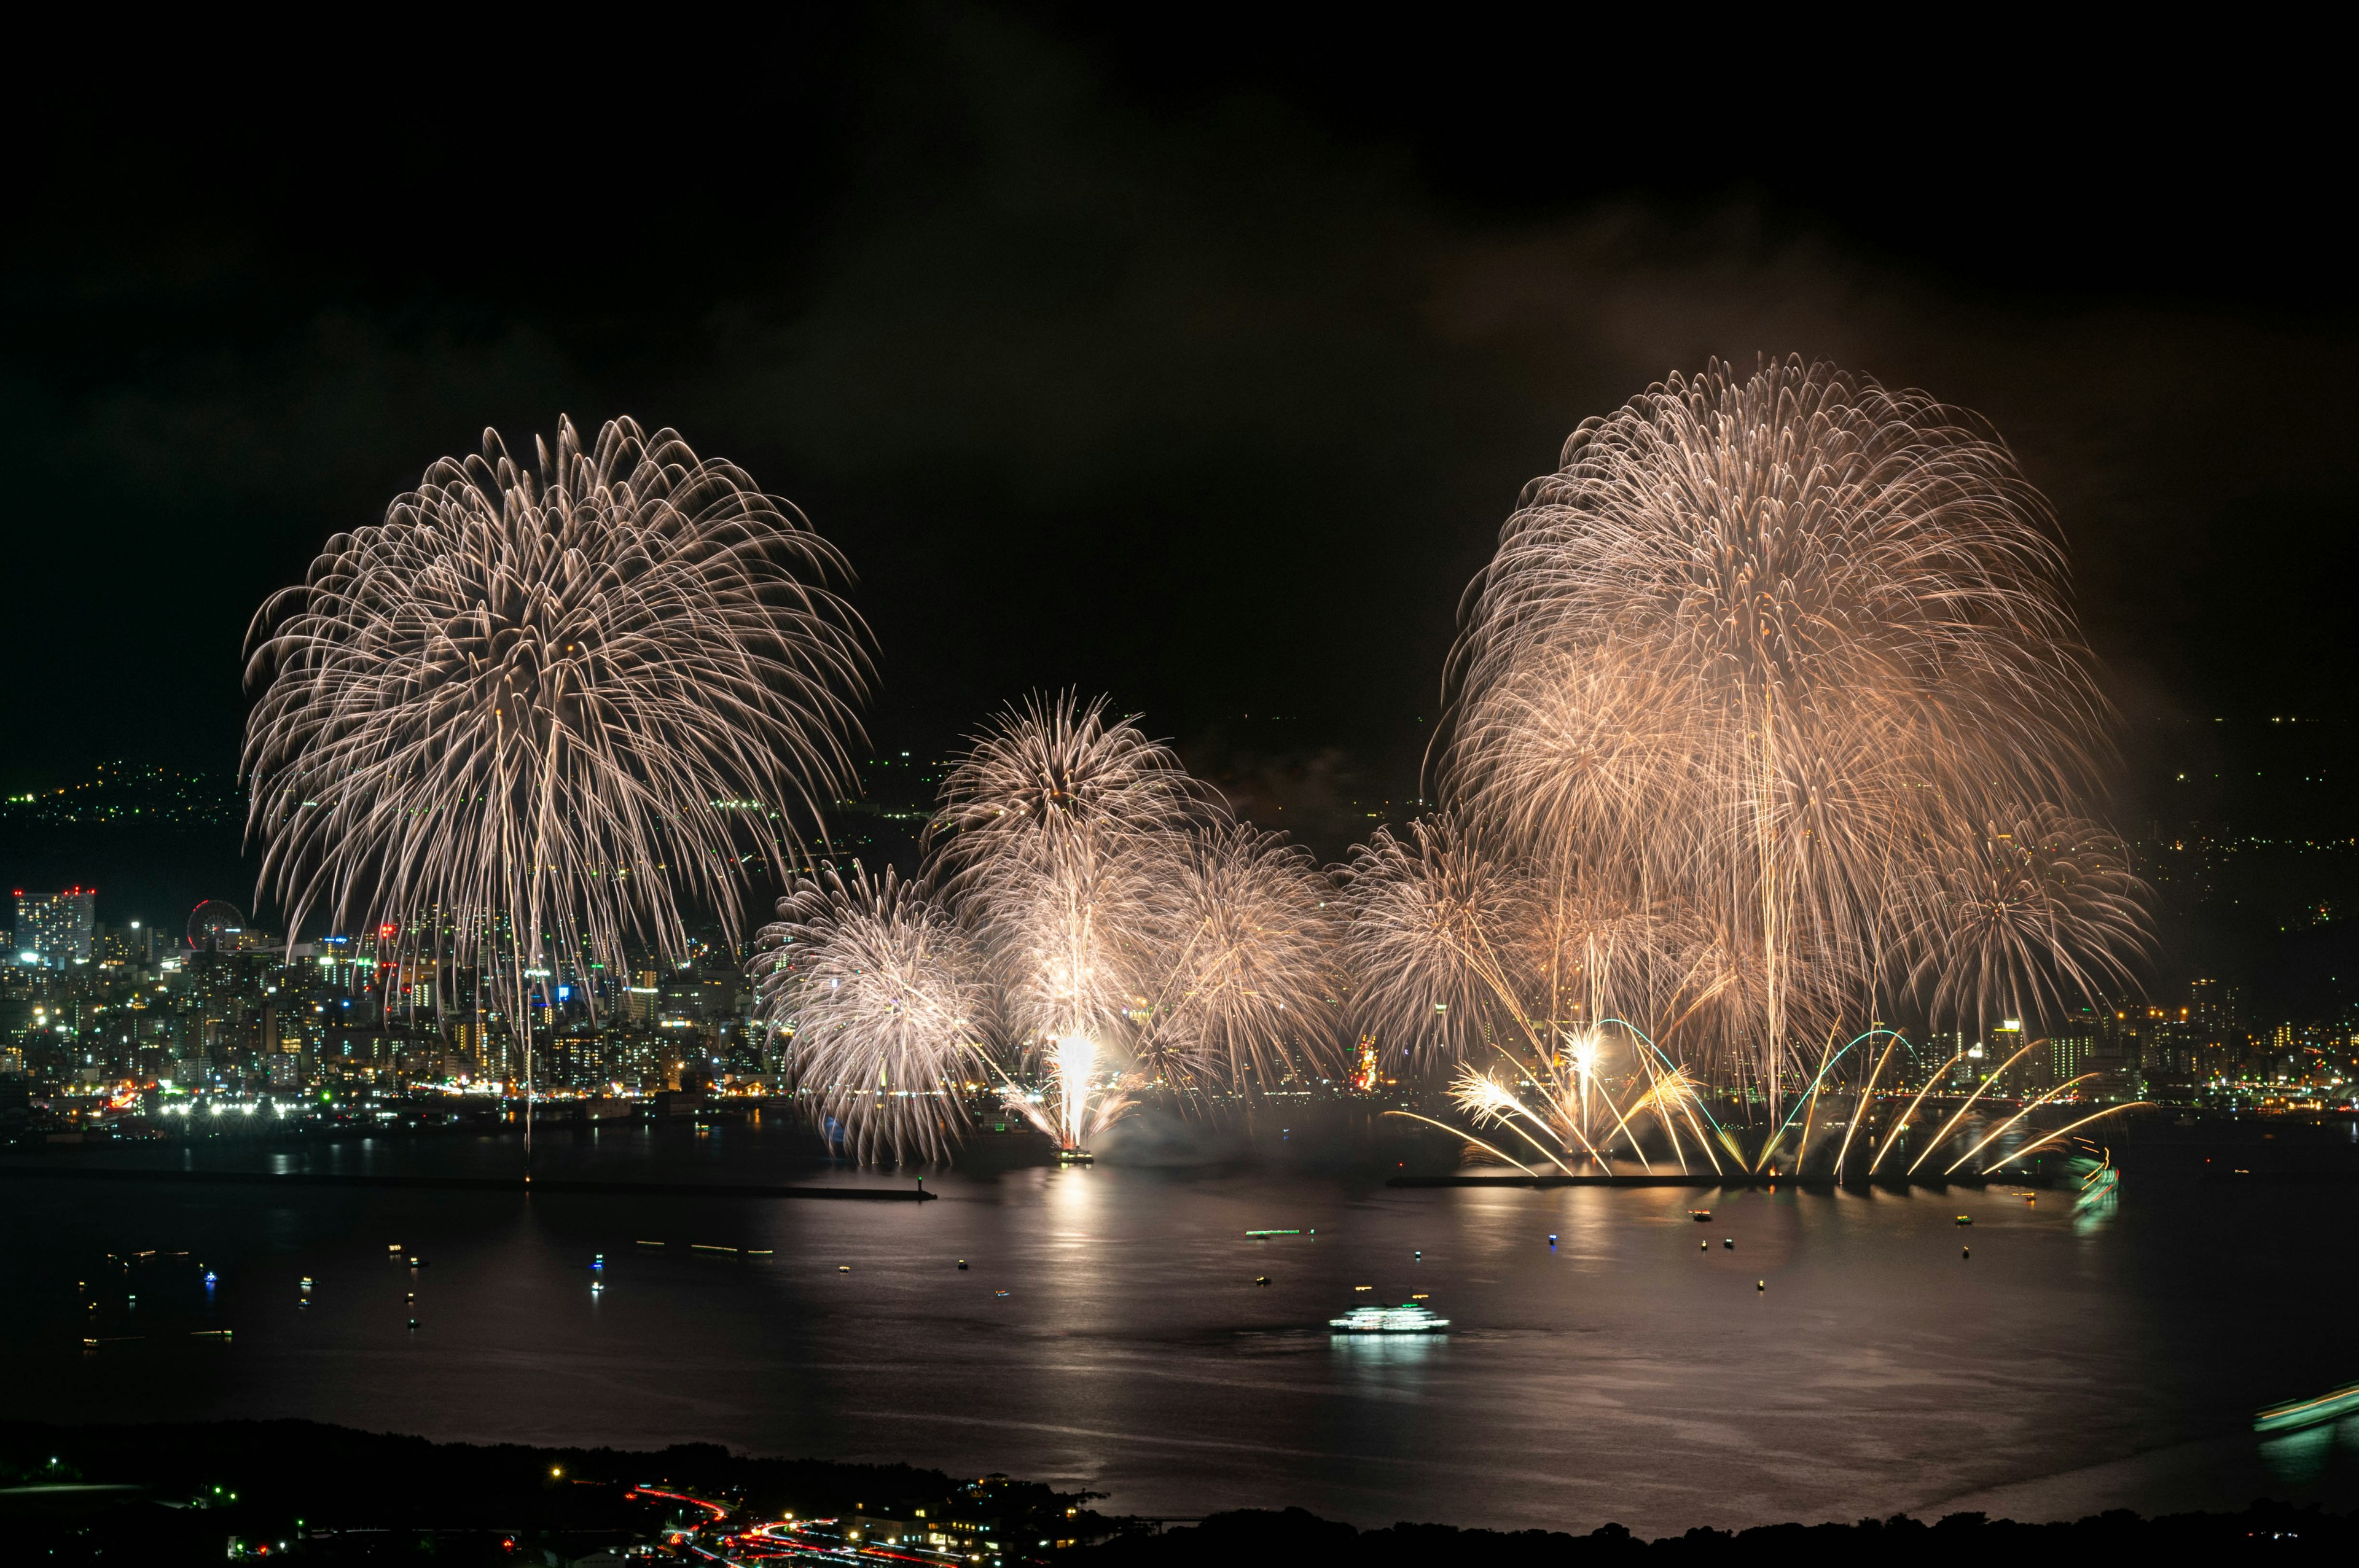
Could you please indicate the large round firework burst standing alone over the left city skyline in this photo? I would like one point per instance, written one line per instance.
(560, 704)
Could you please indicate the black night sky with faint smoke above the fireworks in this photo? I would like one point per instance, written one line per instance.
(1178, 357)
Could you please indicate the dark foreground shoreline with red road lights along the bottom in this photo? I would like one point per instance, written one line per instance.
(171, 1494)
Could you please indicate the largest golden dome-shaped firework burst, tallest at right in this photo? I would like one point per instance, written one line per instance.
(1768, 654)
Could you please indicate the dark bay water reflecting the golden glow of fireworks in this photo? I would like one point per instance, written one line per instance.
(1841, 1362)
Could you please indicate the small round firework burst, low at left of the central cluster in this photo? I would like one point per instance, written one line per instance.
(886, 1008)
